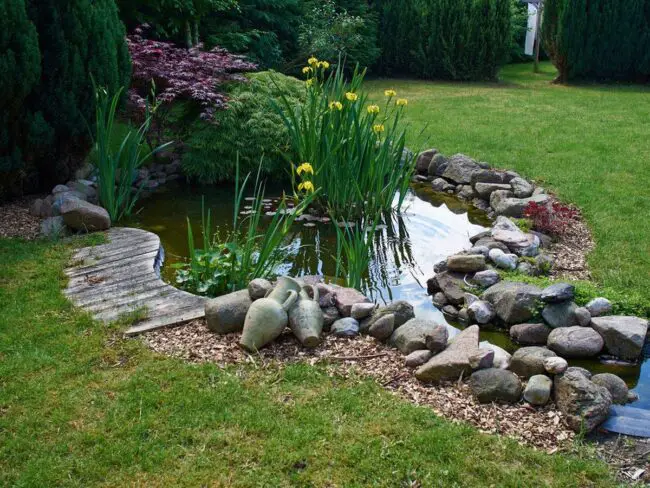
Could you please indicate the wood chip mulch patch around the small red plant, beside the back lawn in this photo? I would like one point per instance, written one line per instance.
(570, 250)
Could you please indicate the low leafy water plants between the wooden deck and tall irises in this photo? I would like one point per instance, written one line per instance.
(224, 265)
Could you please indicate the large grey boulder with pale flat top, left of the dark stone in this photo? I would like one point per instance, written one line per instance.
(513, 302)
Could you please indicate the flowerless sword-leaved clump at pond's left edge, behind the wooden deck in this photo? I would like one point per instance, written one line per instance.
(116, 167)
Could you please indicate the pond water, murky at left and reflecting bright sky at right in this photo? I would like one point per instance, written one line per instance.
(429, 228)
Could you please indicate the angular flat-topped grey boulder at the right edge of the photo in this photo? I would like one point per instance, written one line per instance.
(624, 336)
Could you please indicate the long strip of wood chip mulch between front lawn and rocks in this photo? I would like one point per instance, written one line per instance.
(542, 428)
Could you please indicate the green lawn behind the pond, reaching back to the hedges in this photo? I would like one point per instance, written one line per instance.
(589, 144)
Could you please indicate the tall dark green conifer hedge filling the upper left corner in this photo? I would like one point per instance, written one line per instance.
(67, 41)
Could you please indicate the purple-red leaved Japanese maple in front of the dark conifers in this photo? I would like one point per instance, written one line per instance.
(182, 74)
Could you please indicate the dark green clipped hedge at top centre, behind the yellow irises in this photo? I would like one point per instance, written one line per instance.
(445, 39)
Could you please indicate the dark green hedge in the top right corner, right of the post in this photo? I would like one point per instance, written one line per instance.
(598, 39)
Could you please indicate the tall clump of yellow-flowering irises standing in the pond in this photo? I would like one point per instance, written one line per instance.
(355, 149)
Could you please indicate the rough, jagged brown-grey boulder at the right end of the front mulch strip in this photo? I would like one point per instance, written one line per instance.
(584, 404)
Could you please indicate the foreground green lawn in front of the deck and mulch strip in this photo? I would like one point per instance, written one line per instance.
(80, 406)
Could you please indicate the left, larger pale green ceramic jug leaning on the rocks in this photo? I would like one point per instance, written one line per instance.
(267, 317)
